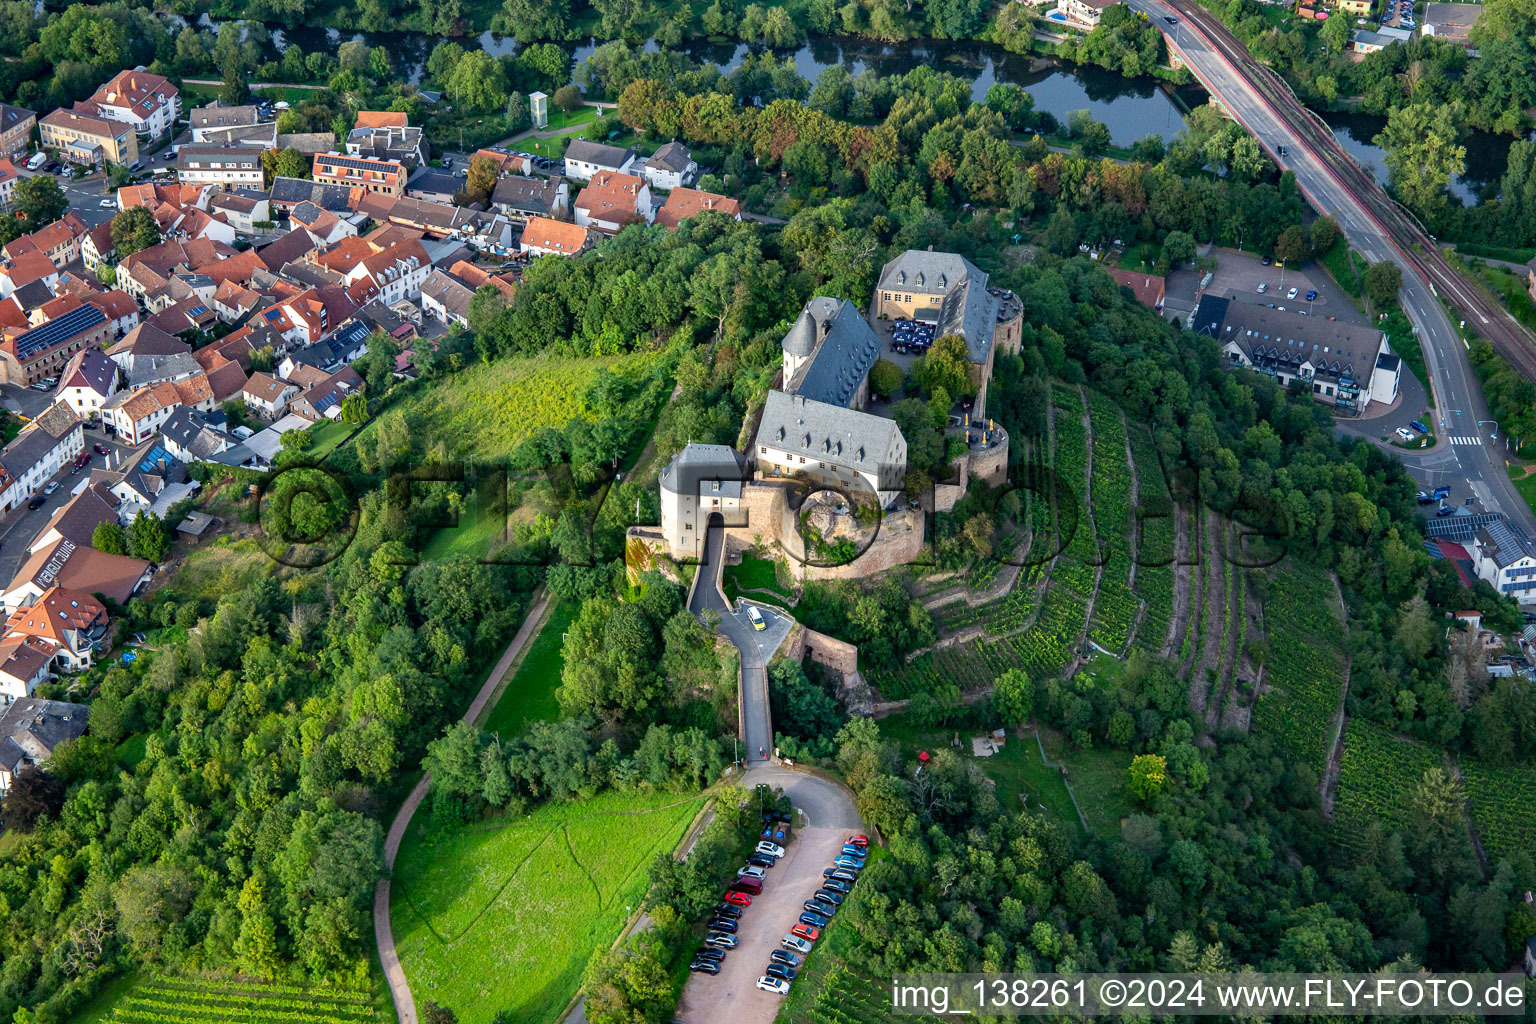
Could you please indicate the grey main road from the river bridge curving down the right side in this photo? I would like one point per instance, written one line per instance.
(1460, 406)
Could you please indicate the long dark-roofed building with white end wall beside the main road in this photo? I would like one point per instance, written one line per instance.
(1345, 366)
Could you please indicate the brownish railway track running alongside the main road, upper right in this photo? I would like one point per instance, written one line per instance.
(1488, 317)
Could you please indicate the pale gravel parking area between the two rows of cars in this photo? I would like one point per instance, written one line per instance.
(733, 996)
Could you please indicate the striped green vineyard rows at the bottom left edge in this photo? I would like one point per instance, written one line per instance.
(190, 1000)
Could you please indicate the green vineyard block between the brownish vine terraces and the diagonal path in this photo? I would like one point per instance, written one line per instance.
(1306, 666)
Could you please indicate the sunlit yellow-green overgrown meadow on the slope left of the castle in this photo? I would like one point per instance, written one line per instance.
(488, 411)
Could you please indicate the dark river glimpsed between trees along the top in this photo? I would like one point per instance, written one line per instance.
(1131, 108)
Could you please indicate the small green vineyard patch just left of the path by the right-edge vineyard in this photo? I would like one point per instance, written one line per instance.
(1377, 779)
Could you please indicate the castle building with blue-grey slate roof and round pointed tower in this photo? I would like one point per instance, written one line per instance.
(829, 352)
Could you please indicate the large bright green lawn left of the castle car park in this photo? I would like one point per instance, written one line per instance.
(505, 916)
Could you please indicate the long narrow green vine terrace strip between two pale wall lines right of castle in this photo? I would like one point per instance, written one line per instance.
(1116, 607)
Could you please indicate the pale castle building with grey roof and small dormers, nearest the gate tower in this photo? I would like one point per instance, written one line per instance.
(833, 448)
